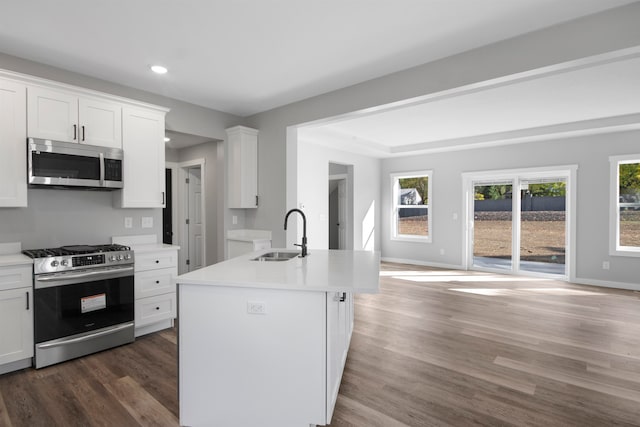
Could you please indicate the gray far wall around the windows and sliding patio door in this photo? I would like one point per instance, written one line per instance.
(590, 153)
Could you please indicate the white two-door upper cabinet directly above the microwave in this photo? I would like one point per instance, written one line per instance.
(66, 116)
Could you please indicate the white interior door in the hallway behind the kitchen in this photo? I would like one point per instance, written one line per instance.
(196, 238)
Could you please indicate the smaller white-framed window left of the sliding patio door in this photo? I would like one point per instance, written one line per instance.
(410, 193)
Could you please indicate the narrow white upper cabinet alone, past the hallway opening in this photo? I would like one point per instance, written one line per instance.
(242, 143)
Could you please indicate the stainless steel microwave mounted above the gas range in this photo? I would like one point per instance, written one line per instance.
(73, 165)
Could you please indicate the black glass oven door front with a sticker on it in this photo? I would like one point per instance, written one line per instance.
(72, 309)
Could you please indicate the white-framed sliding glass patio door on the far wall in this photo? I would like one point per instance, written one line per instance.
(520, 221)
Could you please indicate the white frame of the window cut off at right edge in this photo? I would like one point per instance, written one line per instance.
(615, 249)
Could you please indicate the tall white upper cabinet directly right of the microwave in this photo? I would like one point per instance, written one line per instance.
(143, 145)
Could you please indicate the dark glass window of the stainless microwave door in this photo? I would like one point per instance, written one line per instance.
(54, 165)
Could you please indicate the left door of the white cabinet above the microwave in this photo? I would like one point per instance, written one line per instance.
(52, 114)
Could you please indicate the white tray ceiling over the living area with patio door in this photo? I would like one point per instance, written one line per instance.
(603, 95)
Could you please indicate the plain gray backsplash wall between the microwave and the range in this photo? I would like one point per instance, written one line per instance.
(69, 217)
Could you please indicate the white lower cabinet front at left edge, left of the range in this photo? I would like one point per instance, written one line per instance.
(16, 317)
